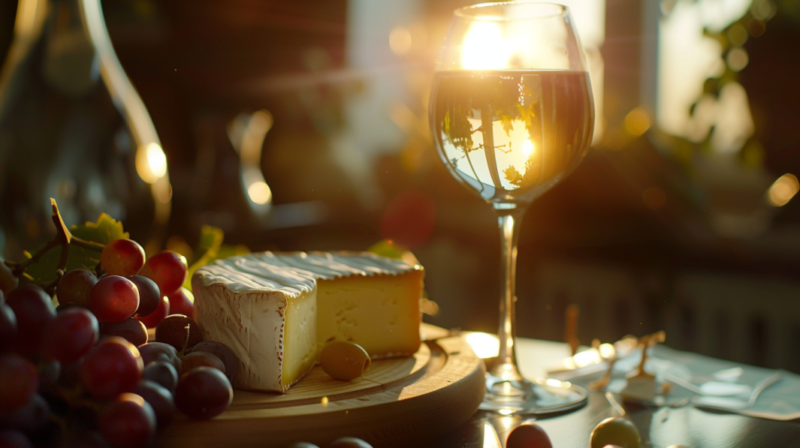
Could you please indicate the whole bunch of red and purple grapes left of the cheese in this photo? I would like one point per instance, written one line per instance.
(84, 374)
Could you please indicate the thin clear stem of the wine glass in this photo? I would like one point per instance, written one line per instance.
(506, 366)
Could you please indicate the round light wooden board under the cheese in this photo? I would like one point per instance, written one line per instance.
(397, 402)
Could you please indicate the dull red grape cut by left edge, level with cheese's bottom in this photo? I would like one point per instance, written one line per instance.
(19, 381)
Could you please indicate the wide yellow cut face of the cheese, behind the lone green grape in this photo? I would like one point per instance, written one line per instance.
(379, 312)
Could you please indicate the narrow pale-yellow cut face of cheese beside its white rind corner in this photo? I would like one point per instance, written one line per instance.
(299, 338)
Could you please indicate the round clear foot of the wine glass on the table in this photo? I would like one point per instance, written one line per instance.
(537, 397)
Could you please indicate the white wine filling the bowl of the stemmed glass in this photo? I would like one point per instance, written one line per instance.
(511, 135)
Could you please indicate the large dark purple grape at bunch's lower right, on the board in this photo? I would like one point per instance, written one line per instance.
(203, 393)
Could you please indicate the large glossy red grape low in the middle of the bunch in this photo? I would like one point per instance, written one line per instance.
(112, 367)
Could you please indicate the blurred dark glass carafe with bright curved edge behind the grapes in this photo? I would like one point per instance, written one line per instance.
(72, 127)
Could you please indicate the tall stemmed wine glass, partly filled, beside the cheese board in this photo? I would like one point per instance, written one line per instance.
(511, 113)
